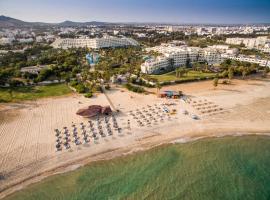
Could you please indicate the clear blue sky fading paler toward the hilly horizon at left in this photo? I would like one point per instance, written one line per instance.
(161, 11)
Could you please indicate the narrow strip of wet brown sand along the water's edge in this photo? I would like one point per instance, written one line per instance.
(76, 164)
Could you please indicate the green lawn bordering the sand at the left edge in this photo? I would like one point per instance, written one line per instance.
(32, 92)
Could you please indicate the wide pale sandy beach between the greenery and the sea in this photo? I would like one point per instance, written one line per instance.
(28, 154)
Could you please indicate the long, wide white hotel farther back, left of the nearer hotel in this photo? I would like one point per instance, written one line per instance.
(95, 43)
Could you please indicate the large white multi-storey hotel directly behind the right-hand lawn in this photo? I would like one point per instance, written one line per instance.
(178, 56)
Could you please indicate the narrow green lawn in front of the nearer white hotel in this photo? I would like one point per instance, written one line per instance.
(191, 75)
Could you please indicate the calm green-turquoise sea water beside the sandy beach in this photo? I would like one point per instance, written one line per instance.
(220, 168)
